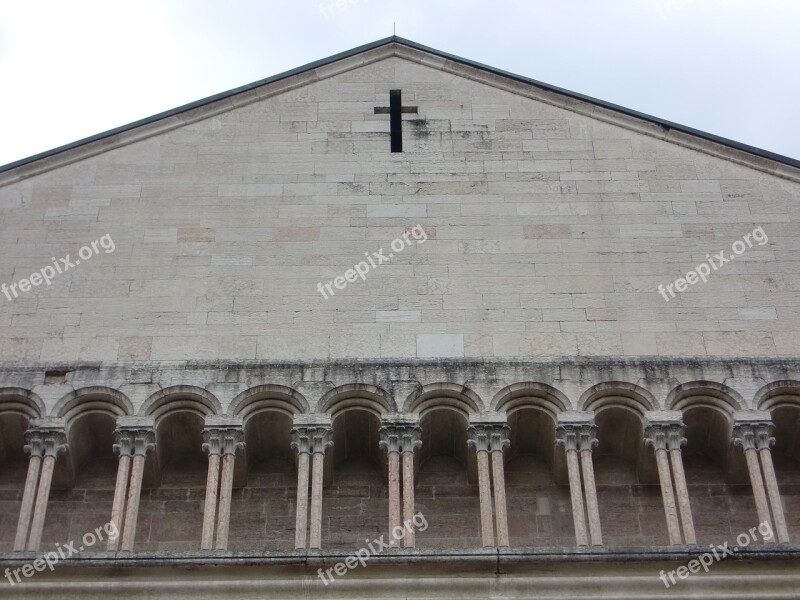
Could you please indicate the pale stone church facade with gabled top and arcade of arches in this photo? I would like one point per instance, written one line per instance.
(398, 324)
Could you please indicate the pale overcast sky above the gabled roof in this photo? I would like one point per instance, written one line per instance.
(70, 69)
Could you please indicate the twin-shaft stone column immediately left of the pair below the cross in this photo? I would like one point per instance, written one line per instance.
(316, 439)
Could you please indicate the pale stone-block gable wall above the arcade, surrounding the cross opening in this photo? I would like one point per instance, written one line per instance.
(548, 232)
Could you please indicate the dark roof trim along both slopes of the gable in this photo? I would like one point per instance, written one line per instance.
(395, 39)
